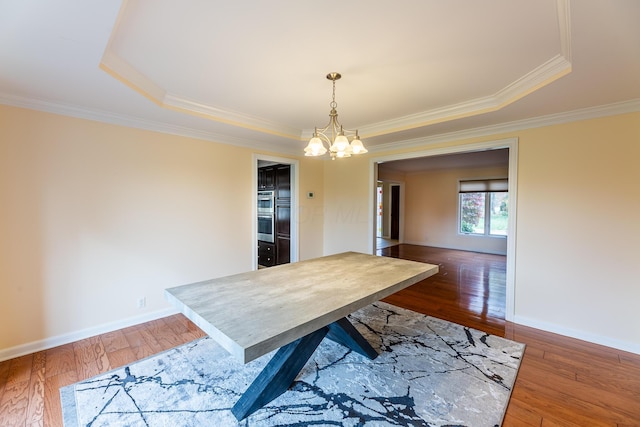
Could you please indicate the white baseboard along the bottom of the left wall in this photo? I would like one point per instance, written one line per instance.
(44, 344)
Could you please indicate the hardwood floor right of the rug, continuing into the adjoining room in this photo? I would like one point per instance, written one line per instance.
(562, 381)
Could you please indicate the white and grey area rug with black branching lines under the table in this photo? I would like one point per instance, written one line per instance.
(429, 373)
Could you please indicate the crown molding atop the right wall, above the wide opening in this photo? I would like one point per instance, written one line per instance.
(625, 107)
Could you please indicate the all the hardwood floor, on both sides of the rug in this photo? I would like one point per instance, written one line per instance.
(561, 382)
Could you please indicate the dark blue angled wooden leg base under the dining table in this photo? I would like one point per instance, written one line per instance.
(287, 363)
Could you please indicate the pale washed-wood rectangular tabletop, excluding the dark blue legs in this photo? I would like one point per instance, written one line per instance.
(253, 313)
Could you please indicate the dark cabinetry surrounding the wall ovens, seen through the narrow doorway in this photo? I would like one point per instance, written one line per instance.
(277, 178)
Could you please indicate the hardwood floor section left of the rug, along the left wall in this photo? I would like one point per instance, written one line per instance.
(29, 385)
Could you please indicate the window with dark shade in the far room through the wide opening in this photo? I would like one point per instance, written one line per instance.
(484, 207)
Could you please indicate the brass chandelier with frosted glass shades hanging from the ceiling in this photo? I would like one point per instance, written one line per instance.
(333, 134)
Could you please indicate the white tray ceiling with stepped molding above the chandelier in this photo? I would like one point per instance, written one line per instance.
(254, 74)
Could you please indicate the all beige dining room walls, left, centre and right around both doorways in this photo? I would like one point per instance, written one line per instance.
(94, 216)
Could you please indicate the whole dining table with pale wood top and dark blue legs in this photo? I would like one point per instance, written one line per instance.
(291, 308)
